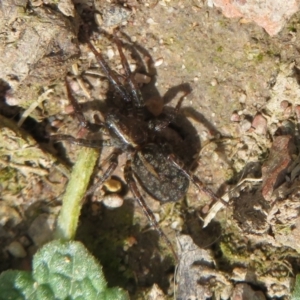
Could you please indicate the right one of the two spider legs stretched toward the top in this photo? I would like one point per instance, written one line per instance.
(137, 97)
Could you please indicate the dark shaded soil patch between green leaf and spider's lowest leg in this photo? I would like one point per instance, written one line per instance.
(125, 252)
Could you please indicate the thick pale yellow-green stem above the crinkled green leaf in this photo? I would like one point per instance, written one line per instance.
(77, 186)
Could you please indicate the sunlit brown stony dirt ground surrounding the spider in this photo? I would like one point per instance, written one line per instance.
(239, 123)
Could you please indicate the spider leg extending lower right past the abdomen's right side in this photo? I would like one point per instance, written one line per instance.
(195, 180)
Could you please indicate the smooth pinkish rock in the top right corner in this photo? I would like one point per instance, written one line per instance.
(272, 15)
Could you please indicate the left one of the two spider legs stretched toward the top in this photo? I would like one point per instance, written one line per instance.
(110, 74)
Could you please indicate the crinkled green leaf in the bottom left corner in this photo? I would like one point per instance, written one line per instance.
(61, 270)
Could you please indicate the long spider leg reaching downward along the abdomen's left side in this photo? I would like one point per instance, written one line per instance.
(128, 174)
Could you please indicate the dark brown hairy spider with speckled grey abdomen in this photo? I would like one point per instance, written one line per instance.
(132, 130)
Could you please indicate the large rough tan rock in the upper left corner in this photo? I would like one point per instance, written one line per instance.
(38, 49)
